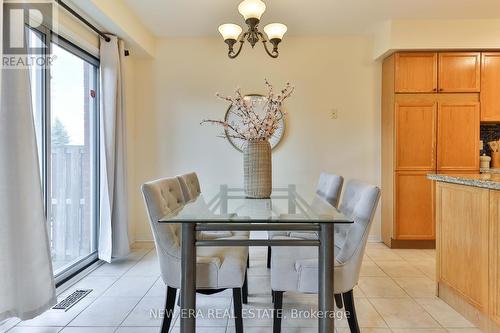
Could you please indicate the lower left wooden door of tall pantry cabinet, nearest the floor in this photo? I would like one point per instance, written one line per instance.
(414, 207)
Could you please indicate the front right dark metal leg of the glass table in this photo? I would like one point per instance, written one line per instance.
(325, 279)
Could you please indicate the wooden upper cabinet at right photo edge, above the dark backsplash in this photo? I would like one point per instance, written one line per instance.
(490, 86)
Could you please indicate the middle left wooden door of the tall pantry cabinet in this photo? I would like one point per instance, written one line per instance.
(415, 133)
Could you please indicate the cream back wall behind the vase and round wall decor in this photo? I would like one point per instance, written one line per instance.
(176, 91)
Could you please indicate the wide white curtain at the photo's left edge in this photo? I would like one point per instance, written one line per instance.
(26, 277)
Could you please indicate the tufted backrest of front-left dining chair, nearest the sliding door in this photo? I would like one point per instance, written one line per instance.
(163, 197)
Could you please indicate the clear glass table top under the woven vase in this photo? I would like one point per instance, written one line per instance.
(230, 205)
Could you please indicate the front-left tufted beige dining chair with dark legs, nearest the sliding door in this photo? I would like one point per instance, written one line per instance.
(218, 268)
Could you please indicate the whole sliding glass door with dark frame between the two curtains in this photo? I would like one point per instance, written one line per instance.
(65, 101)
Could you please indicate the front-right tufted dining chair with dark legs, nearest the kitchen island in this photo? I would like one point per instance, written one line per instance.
(296, 268)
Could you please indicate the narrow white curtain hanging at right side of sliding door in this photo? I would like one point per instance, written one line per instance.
(113, 233)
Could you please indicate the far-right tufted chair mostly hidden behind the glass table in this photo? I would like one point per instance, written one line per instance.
(329, 188)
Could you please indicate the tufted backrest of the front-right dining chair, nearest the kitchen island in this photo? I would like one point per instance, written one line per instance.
(359, 202)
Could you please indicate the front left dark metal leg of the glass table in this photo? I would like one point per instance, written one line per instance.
(188, 278)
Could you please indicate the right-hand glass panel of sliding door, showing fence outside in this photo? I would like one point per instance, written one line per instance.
(73, 134)
